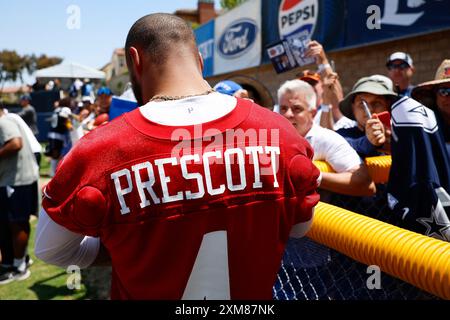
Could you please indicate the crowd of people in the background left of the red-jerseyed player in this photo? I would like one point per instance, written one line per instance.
(79, 112)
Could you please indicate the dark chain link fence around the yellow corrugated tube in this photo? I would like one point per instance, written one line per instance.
(311, 271)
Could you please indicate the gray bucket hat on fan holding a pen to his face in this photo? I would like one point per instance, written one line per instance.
(375, 84)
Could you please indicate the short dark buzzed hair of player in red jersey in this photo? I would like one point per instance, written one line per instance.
(159, 34)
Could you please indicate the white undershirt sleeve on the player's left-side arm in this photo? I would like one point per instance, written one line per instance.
(58, 246)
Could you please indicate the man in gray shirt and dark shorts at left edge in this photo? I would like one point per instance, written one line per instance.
(18, 175)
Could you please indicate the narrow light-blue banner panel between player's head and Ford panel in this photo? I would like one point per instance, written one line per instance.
(204, 36)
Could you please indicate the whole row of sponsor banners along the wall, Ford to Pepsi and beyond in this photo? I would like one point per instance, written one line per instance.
(239, 39)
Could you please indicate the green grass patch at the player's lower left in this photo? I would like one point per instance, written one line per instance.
(45, 283)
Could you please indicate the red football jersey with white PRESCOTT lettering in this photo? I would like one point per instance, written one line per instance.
(193, 212)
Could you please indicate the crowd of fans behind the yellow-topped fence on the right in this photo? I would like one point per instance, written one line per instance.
(344, 130)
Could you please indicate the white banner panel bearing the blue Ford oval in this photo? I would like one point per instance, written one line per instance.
(238, 38)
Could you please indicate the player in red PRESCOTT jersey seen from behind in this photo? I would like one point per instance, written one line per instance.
(196, 192)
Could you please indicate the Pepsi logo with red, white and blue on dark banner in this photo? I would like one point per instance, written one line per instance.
(298, 16)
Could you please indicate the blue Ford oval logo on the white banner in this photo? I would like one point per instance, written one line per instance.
(237, 38)
